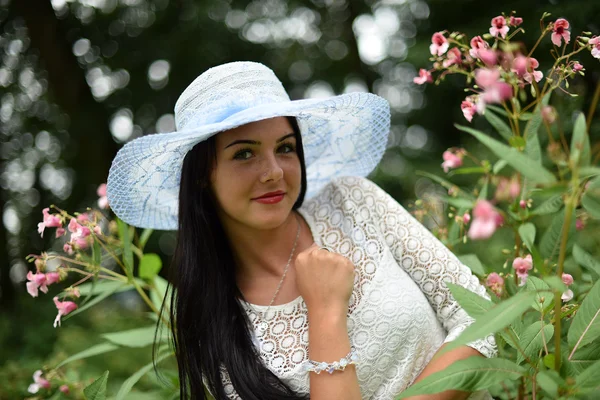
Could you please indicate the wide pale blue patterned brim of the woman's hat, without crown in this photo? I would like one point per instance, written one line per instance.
(342, 136)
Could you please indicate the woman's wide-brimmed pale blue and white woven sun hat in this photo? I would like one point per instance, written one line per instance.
(341, 135)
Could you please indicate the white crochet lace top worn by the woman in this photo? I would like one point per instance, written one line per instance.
(400, 310)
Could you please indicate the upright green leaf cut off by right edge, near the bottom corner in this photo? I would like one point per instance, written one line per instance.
(585, 327)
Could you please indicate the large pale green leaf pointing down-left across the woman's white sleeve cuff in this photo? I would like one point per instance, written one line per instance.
(497, 318)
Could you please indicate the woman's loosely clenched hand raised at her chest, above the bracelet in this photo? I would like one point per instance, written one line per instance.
(324, 280)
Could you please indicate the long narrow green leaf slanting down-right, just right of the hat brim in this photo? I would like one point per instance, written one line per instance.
(525, 165)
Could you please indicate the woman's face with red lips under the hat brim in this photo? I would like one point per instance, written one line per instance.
(252, 161)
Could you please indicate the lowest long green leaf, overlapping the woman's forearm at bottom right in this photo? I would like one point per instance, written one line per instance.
(470, 374)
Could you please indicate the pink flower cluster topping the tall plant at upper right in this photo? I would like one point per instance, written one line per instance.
(498, 68)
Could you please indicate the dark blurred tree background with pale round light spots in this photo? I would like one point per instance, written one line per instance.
(79, 78)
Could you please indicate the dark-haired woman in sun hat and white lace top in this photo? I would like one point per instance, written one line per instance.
(295, 276)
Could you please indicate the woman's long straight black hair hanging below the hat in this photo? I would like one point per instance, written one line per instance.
(210, 328)
